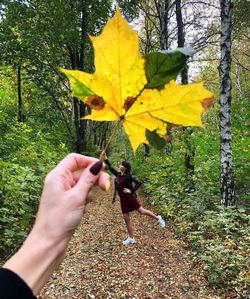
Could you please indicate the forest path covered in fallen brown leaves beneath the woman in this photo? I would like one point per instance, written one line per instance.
(98, 265)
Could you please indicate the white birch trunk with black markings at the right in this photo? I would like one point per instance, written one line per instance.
(226, 178)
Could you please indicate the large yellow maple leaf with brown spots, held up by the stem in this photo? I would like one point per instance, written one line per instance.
(118, 88)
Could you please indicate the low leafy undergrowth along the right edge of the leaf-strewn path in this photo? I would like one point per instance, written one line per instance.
(219, 237)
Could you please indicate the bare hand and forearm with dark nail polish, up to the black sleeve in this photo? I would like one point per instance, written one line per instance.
(64, 198)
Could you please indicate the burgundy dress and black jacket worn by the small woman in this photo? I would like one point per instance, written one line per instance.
(129, 201)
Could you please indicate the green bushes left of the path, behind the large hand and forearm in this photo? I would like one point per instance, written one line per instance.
(27, 154)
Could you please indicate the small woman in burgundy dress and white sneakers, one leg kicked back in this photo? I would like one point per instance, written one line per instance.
(126, 184)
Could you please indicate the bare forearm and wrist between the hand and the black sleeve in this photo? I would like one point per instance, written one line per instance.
(36, 260)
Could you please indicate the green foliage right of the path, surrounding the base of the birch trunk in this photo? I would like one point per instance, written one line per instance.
(218, 237)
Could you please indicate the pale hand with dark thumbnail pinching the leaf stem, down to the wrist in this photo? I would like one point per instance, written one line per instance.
(65, 195)
